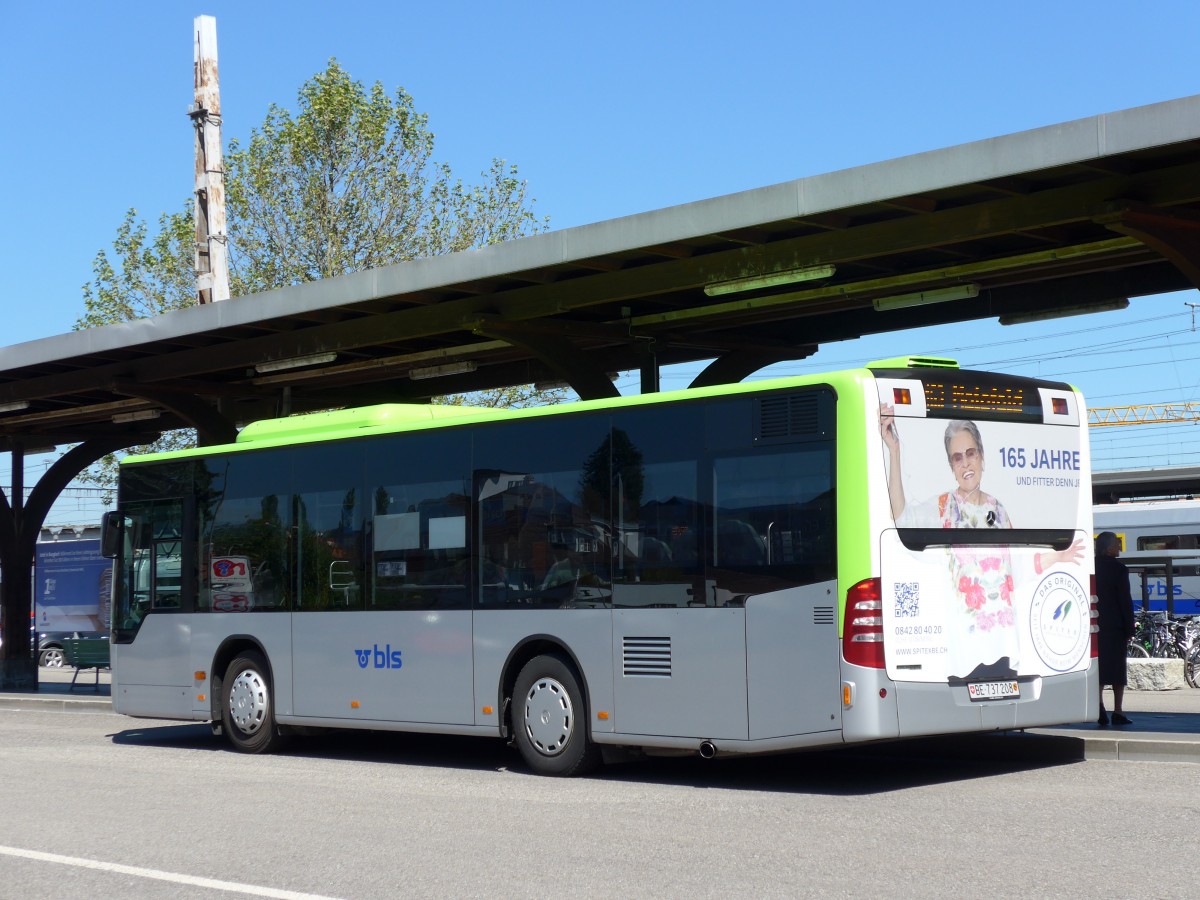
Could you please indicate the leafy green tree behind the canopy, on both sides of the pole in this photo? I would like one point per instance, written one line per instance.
(349, 183)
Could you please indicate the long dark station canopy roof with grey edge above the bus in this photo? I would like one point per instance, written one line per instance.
(1073, 218)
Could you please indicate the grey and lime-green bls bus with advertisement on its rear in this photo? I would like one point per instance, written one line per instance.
(752, 568)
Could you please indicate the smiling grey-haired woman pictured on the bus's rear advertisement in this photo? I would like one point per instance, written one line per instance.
(982, 578)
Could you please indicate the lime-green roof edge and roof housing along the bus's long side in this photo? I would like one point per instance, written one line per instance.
(399, 418)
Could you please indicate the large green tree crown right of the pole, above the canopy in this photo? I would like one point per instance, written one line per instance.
(350, 184)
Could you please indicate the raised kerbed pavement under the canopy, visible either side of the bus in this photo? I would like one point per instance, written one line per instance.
(1166, 724)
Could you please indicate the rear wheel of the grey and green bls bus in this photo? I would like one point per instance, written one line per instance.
(550, 724)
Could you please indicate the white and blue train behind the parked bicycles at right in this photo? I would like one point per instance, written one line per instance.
(1153, 532)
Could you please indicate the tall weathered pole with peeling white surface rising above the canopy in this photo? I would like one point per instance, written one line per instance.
(212, 242)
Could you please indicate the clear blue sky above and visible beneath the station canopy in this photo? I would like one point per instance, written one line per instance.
(608, 110)
